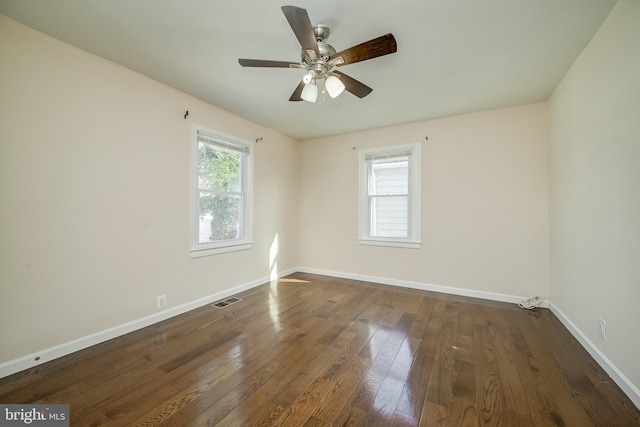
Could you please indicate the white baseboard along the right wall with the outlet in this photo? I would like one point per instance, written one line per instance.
(616, 375)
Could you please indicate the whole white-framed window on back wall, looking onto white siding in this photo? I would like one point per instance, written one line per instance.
(389, 210)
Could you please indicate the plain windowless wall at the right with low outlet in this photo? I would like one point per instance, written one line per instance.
(595, 190)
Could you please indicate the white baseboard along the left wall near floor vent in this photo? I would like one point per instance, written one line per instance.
(29, 361)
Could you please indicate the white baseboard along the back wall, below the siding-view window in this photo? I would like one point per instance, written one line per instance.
(493, 296)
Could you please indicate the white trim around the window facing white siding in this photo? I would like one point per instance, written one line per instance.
(414, 241)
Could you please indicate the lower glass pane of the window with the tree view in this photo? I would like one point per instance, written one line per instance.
(220, 217)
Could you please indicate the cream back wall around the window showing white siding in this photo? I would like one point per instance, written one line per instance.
(484, 203)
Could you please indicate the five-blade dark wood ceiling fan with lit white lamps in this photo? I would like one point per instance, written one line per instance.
(320, 59)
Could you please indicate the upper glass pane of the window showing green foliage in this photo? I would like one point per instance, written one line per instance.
(219, 168)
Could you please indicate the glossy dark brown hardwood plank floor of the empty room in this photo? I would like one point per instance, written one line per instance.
(321, 351)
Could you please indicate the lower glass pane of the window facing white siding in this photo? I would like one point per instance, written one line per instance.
(389, 216)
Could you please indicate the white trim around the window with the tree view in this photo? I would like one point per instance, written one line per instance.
(206, 249)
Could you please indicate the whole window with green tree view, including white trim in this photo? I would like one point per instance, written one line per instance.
(222, 219)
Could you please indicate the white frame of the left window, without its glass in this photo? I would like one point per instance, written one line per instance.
(221, 139)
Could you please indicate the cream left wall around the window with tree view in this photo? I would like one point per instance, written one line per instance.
(95, 194)
